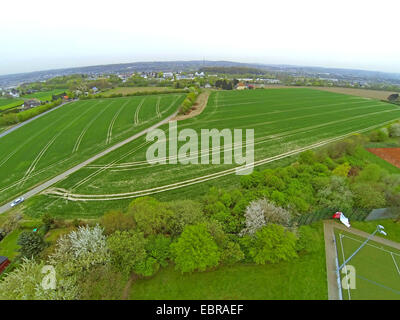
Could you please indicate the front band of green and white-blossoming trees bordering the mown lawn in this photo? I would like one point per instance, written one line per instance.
(149, 235)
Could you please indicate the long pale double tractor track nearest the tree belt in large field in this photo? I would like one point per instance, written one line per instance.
(67, 195)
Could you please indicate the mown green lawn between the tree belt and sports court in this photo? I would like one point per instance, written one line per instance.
(302, 278)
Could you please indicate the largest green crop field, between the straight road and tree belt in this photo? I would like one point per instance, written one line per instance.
(284, 120)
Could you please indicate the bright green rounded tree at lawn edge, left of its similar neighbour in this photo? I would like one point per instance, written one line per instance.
(195, 249)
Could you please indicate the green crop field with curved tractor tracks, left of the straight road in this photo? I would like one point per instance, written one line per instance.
(69, 135)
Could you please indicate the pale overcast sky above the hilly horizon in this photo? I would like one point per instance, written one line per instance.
(41, 34)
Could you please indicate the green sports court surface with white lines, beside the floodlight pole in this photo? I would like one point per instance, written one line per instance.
(377, 268)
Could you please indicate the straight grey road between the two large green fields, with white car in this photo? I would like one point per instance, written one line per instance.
(65, 174)
